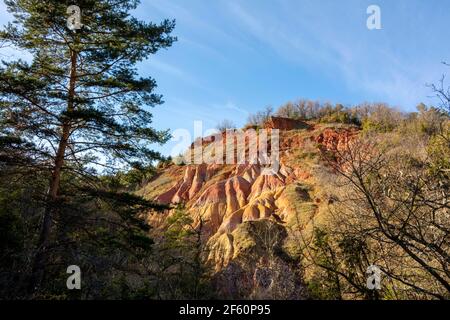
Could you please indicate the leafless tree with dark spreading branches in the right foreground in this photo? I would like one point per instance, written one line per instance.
(396, 199)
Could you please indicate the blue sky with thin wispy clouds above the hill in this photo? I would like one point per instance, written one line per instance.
(238, 56)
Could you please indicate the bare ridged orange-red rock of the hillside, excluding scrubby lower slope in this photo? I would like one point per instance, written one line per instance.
(222, 198)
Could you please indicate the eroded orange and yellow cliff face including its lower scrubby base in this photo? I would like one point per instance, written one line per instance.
(251, 221)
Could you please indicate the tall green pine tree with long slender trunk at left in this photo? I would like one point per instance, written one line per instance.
(79, 105)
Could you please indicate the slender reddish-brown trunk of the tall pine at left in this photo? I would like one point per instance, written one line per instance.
(51, 209)
